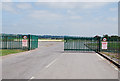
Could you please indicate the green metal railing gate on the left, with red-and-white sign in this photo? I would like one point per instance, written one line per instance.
(15, 41)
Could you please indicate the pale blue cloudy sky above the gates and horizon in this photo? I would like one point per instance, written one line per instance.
(65, 18)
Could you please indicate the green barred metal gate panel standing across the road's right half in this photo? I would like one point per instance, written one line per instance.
(82, 44)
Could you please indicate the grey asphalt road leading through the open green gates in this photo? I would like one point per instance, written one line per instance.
(49, 61)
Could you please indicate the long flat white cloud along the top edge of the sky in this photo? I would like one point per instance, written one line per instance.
(73, 5)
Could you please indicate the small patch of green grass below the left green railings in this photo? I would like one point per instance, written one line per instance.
(7, 52)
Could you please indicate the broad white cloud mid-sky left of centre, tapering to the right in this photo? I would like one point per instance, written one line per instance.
(46, 16)
